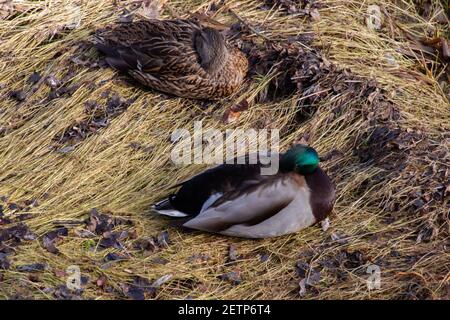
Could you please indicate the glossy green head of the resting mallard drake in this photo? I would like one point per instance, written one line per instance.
(300, 158)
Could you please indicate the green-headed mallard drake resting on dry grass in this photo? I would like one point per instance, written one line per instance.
(236, 200)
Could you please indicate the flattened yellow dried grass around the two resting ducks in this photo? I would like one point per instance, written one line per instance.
(105, 173)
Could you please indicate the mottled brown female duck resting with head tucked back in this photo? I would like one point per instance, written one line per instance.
(180, 57)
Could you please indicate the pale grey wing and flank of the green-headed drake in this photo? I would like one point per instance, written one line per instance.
(271, 207)
